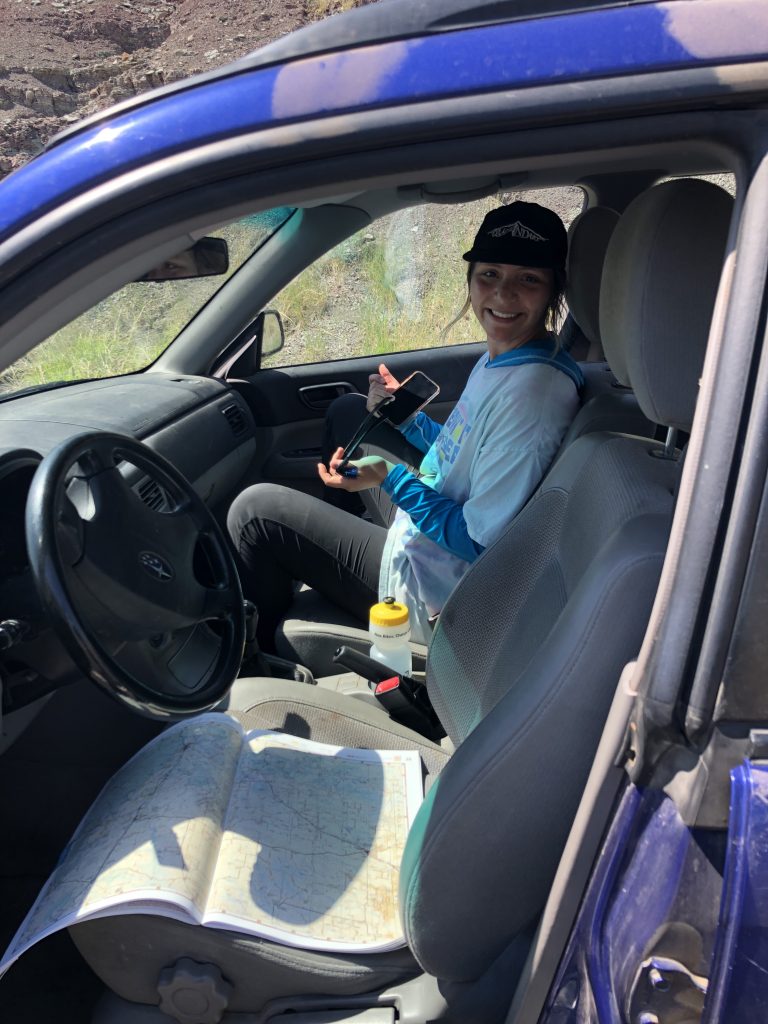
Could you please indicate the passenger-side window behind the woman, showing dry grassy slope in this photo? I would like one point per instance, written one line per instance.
(396, 285)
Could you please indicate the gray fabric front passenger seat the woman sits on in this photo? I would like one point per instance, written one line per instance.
(315, 627)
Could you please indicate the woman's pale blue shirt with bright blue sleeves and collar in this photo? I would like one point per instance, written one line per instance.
(479, 472)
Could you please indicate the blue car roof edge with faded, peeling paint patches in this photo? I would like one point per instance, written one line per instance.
(586, 41)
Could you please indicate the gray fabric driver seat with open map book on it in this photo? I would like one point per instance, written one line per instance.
(523, 694)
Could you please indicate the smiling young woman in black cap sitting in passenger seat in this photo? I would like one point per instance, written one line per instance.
(479, 470)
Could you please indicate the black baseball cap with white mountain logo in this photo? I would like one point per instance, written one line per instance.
(523, 234)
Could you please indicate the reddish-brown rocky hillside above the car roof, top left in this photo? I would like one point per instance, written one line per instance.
(63, 60)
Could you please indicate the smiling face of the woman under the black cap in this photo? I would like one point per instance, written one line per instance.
(510, 303)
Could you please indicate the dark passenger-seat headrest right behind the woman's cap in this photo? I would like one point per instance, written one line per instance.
(588, 241)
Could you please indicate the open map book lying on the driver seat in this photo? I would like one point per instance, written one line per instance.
(261, 833)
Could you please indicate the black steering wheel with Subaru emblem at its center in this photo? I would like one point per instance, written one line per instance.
(146, 598)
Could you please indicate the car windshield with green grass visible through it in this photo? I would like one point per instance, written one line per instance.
(130, 329)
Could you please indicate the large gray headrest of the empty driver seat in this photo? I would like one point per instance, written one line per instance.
(661, 278)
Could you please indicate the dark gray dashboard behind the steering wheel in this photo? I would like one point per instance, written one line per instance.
(201, 425)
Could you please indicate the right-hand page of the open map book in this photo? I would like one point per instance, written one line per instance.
(313, 844)
